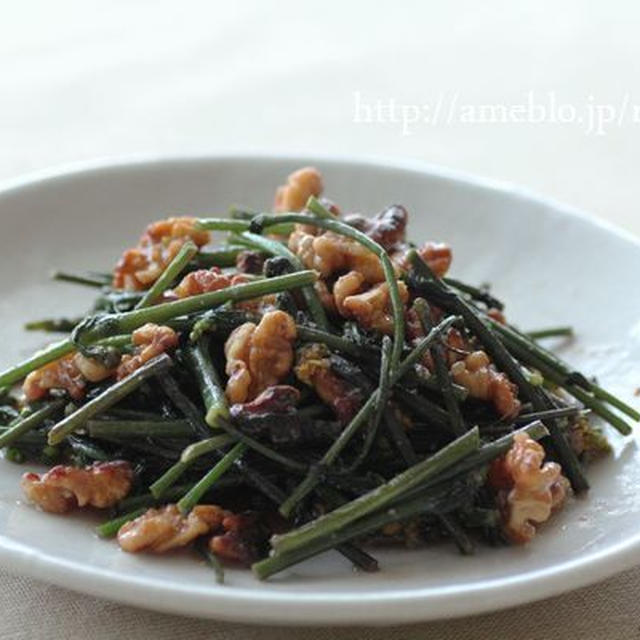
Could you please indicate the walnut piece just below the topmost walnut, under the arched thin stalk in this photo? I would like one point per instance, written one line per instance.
(330, 253)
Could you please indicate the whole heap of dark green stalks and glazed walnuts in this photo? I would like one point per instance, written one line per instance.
(270, 386)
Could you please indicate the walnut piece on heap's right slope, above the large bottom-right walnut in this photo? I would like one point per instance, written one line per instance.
(483, 381)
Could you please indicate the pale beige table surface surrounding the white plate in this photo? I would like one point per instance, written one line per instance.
(85, 79)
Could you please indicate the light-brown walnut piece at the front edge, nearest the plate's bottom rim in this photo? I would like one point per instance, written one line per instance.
(160, 530)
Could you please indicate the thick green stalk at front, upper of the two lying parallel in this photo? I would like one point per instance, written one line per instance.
(381, 496)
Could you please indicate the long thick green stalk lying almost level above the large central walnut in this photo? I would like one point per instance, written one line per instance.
(97, 327)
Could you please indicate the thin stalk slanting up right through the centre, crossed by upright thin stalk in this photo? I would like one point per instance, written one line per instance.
(313, 477)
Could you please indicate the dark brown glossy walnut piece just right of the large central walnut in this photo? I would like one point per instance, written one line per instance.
(313, 367)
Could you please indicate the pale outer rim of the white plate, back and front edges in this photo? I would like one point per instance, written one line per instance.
(404, 605)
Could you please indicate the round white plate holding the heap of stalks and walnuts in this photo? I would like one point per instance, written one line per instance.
(551, 264)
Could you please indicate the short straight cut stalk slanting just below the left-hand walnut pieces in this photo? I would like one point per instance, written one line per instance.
(108, 398)
